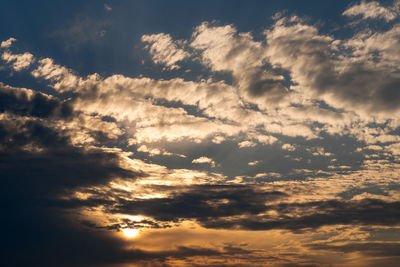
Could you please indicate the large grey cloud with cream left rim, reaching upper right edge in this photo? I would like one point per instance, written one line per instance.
(314, 65)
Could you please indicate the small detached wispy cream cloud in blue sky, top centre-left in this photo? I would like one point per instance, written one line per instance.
(164, 50)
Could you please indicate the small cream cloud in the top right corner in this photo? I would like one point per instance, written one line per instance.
(373, 10)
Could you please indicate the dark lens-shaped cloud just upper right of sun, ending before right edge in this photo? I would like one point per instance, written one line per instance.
(202, 203)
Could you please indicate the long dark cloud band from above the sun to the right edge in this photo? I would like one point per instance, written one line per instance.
(217, 206)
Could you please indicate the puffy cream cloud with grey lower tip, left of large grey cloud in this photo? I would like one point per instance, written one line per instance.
(223, 49)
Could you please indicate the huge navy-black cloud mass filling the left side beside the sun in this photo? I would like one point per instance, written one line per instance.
(38, 164)
